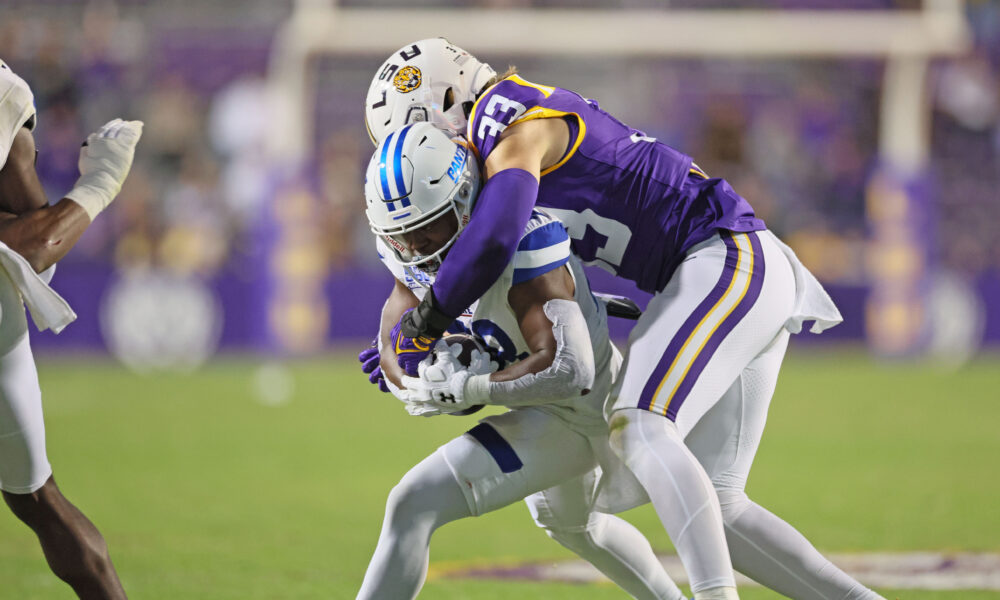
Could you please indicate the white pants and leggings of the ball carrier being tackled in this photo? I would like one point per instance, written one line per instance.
(522, 454)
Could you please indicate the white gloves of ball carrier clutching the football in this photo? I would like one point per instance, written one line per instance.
(441, 385)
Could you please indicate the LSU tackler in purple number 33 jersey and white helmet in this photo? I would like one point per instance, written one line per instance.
(703, 360)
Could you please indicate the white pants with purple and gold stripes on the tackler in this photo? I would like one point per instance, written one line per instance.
(702, 365)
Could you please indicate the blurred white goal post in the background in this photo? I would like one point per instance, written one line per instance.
(906, 40)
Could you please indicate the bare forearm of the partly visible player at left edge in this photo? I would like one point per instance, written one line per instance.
(44, 236)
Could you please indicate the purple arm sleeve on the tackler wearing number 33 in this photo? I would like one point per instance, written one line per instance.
(488, 242)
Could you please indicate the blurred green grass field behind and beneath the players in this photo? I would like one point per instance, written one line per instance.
(204, 492)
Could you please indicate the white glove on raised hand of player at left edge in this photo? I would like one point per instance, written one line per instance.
(105, 160)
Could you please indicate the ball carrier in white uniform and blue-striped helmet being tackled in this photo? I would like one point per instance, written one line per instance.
(542, 320)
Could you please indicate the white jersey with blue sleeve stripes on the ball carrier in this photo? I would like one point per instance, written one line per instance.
(544, 246)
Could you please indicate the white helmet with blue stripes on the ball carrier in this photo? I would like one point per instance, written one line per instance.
(418, 174)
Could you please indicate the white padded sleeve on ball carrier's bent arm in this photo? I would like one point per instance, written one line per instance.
(571, 373)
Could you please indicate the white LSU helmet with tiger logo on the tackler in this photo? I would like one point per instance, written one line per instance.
(430, 80)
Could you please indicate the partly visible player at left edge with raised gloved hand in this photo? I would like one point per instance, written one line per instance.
(33, 237)
